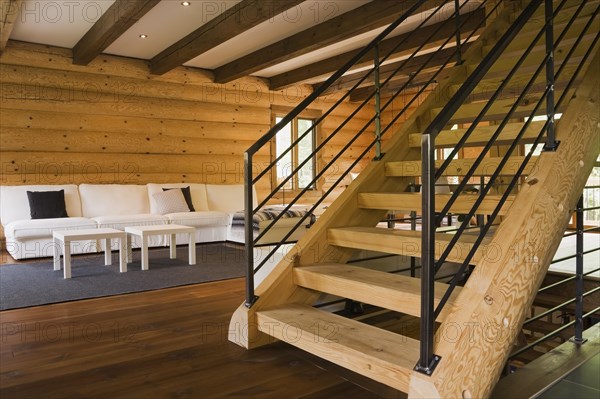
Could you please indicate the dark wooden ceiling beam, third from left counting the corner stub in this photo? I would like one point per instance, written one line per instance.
(218, 30)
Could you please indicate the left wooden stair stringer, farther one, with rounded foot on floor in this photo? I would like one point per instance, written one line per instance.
(278, 287)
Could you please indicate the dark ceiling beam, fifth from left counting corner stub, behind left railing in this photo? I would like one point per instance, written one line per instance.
(407, 43)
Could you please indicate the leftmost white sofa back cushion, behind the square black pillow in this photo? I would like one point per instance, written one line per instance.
(14, 204)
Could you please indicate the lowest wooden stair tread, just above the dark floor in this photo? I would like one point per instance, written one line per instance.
(381, 355)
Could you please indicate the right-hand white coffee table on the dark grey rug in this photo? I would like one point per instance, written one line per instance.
(166, 229)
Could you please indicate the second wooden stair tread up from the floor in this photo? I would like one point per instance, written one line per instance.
(387, 290)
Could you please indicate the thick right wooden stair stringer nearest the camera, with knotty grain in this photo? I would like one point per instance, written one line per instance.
(490, 311)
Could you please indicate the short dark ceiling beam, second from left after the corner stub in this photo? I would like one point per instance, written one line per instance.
(119, 17)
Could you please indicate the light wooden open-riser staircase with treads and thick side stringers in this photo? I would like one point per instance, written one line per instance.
(480, 321)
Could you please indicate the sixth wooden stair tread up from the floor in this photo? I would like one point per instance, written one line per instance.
(481, 135)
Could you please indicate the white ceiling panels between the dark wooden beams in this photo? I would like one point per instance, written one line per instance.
(63, 23)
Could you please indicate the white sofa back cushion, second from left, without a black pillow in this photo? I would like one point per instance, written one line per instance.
(113, 199)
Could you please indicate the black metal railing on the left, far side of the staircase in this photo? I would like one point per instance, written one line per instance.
(474, 16)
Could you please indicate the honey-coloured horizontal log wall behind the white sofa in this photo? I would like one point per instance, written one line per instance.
(113, 122)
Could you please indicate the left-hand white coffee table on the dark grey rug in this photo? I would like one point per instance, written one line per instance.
(63, 239)
